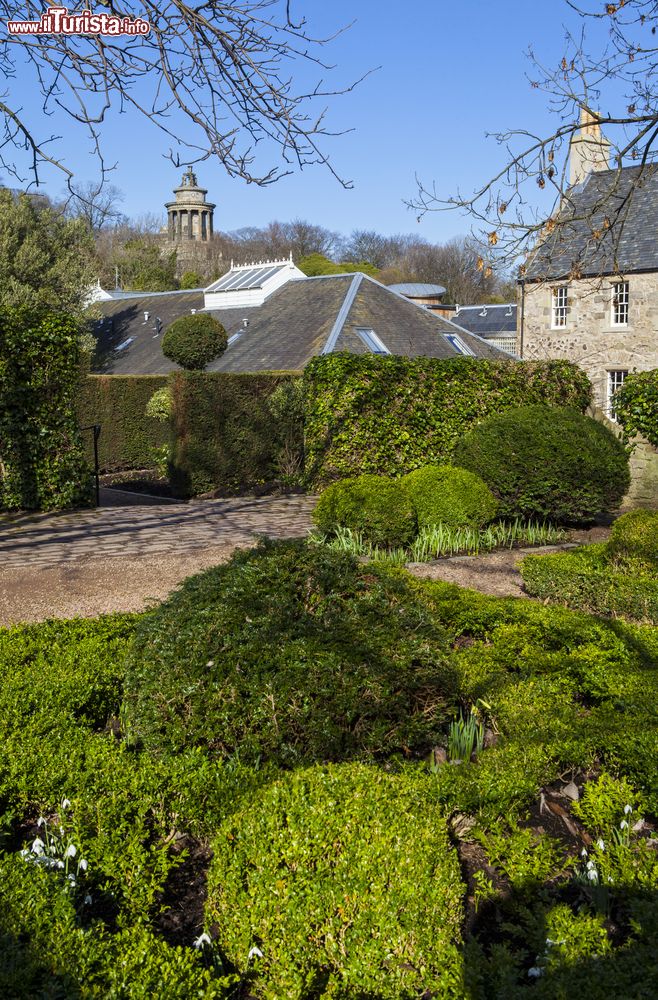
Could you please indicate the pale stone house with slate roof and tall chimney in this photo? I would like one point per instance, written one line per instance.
(590, 288)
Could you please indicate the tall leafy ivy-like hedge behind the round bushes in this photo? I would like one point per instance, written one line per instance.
(387, 414)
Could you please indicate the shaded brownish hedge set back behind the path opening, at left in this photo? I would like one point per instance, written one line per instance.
(118, 403)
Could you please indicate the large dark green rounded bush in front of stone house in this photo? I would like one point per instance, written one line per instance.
(547, 462)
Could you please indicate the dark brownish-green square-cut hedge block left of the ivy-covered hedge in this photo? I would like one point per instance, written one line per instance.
(225, 434)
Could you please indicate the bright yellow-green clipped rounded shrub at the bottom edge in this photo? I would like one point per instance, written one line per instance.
(345, 879)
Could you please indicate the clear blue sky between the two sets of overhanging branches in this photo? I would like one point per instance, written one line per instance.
(450, 72)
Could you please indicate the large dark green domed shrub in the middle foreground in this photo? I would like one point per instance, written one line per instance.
(289, 653)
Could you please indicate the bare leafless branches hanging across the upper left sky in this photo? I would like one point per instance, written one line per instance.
(226, 80)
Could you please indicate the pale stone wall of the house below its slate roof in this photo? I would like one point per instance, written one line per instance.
(589, 337)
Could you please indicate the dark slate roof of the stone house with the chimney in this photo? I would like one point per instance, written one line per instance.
(608, 225)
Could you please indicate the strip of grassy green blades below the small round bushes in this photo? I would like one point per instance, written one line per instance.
(443, 540)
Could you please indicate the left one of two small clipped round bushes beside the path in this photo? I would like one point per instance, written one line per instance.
(377, 507)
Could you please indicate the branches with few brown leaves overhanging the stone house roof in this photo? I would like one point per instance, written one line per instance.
(621, 76)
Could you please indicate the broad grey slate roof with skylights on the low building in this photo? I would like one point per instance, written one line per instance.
(299, 321)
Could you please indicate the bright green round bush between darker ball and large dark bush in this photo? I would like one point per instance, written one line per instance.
(444, 494)
